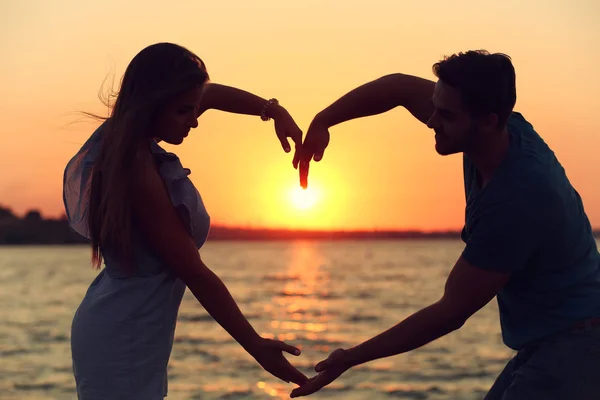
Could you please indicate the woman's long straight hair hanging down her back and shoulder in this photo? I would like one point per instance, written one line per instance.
(154, 76)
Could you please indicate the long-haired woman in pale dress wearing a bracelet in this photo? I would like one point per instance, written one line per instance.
(146, 221)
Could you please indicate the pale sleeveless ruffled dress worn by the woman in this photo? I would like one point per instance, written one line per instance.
(122, 332)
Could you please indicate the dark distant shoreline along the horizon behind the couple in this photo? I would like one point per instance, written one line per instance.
(33, 229)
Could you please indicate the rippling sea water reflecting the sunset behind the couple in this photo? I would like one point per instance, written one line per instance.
(317, 295)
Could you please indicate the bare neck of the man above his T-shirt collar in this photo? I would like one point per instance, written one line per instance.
(487, 156)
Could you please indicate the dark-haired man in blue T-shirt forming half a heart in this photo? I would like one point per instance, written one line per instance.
(528, 239)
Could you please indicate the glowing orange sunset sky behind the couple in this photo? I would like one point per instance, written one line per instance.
(380, 172)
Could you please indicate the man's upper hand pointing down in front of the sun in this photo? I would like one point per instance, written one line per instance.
(315, 143)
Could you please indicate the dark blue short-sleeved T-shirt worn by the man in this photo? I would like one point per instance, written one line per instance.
(529, 221)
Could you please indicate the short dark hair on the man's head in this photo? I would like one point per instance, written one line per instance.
(486, 81)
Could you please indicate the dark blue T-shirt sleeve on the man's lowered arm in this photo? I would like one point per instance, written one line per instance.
(506, 234)
